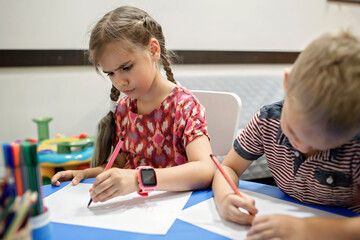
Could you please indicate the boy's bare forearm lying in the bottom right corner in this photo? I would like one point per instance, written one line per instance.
(333, 229)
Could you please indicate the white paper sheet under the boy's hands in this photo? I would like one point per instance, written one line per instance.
(205, 215)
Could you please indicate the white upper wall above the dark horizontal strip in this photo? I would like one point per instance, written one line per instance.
(187, 24)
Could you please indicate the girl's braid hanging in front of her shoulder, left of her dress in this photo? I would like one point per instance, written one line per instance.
(106, 134)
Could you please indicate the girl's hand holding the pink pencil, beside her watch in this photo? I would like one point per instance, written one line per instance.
(114, 182)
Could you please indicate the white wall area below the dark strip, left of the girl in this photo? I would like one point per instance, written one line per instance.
(75, 97)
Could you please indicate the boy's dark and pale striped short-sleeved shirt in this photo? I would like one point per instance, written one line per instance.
(330, 177)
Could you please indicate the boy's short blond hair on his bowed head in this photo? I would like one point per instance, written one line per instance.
(325, 82)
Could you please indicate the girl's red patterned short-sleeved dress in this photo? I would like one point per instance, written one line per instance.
(158, 139)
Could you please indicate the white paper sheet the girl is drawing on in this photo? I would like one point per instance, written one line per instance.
(151, 215)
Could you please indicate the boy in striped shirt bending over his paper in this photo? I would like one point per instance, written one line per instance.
(312, 144)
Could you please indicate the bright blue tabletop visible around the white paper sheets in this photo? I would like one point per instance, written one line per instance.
(180, 229)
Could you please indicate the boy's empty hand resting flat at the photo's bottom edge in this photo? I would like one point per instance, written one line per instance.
(277, 227)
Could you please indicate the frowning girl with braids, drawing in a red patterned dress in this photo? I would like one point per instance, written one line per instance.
(162, 123)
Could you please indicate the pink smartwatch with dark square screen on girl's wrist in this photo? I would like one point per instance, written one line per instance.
(147, 180)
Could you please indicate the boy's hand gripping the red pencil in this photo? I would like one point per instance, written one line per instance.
(229, 208)
